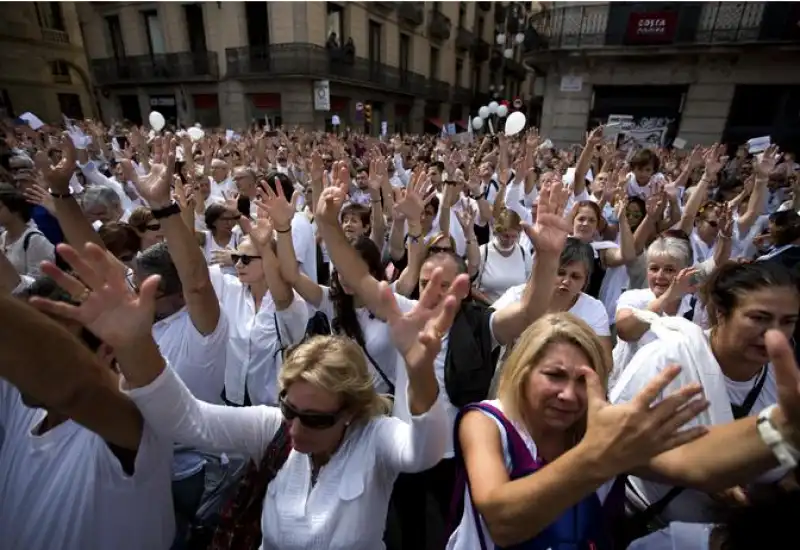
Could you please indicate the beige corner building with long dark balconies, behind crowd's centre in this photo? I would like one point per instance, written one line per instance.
(413, 65)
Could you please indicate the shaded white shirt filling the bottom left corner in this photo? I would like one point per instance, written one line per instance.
(65, 488)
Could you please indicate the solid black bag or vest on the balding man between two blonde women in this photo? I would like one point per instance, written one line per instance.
(469, 364)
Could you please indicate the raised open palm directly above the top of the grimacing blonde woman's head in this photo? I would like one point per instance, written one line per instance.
(550, 231)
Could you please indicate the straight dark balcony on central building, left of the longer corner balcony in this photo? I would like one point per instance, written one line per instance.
(168, 67)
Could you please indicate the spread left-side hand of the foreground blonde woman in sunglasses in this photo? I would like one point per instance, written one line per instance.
(106, 304)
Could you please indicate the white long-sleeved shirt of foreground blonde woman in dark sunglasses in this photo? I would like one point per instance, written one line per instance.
(346, 508)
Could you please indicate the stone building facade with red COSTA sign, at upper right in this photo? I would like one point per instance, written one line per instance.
(705, 71)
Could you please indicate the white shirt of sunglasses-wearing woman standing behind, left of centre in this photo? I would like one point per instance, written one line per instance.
(253, 355)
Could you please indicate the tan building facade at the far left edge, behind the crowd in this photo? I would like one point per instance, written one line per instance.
(43, 68)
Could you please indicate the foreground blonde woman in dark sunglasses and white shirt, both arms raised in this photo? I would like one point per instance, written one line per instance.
(333, 489)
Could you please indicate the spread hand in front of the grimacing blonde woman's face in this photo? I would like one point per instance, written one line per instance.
(625, 436)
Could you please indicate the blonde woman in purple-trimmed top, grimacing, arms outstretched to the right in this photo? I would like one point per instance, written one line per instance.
(542, 459)
